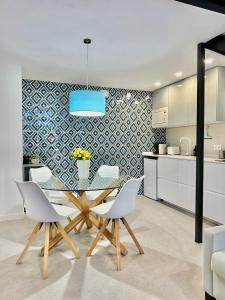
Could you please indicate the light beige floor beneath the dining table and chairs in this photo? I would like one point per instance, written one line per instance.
(169, 270)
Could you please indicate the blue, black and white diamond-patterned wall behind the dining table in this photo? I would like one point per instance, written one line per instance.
(118, 138)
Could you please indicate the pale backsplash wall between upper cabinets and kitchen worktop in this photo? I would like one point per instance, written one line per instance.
(217, 131)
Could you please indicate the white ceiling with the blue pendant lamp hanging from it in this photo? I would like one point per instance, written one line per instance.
(135, 43)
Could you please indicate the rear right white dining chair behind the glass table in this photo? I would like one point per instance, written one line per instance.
(104, 171)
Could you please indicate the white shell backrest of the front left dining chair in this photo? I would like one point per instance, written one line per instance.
(37, 205)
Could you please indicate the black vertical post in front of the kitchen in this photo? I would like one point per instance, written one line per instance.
(200, 143)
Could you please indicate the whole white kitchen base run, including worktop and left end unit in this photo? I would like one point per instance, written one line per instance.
(172, 178)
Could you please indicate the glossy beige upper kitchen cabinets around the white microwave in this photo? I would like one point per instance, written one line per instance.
(181, 99)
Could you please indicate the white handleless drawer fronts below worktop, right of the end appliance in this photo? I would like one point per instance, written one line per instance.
(176, 185)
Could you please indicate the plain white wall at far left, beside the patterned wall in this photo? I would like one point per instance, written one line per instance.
(10, 138)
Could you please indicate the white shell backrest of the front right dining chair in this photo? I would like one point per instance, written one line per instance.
(125, 201)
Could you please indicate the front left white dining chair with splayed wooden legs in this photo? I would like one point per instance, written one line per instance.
(41, 210)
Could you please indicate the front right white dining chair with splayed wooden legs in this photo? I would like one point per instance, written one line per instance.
(115, 211)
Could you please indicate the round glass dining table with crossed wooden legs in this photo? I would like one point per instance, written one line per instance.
(75, 191)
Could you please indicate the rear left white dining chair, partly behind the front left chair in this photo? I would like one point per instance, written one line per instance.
(43, 174)
